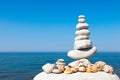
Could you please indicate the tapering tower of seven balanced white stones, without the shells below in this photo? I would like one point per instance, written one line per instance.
(83, 47)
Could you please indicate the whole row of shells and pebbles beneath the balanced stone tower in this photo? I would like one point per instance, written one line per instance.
(82, 65)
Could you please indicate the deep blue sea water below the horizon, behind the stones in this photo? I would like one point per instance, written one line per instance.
(26, 65)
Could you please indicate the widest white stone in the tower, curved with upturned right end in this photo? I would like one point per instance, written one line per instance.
(80, 54)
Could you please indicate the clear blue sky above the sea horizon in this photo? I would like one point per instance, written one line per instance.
(50, 25)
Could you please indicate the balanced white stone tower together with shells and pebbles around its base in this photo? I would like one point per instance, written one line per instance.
(83, 49)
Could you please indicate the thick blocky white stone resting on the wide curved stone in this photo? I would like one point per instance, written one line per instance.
(82, 44)
